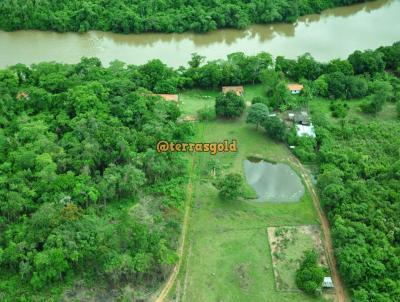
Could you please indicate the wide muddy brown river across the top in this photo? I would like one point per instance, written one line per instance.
(332, 34)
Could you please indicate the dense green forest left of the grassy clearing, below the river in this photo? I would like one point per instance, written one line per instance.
(83, 193)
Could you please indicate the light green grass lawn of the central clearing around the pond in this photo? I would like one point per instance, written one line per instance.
(227, 256)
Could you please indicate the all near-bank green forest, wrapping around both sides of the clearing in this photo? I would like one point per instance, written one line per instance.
(85, 196)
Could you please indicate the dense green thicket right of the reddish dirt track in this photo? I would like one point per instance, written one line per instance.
(360, 190)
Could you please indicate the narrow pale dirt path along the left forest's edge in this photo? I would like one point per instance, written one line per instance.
(163, 294)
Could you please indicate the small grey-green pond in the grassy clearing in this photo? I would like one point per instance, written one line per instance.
(273, 182)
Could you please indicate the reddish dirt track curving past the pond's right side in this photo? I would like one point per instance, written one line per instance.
(327, 239)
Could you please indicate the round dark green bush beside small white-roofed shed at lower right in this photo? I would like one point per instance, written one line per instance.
(310, 275)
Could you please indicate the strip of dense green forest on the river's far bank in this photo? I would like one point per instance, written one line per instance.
(128, 16)
